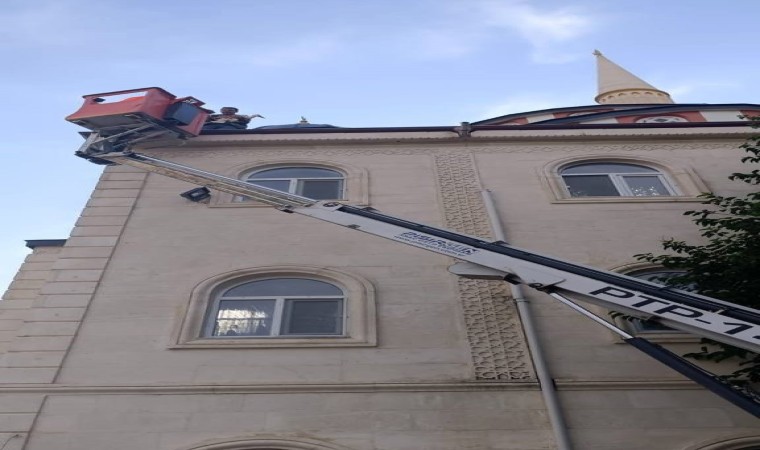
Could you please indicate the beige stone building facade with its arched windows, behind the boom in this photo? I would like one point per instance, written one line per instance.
(153, 327)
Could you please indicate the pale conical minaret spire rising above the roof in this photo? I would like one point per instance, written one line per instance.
(618, 86)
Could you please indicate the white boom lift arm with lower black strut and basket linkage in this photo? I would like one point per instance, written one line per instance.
(564, 281)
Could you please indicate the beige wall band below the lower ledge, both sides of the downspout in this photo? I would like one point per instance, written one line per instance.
(382, 420)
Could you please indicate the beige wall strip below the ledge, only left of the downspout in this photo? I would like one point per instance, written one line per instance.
(358, 420)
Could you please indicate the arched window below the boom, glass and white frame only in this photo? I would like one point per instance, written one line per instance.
(277, 307)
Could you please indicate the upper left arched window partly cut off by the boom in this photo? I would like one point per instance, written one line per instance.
(312, 182)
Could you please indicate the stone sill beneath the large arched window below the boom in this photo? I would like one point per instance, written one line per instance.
(337, 341)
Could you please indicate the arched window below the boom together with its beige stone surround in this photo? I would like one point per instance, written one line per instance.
(278, 306)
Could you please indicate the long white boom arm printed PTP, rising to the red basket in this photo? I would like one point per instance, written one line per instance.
(700, 315)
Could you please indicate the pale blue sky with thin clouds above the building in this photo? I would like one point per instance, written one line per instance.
(350, 63)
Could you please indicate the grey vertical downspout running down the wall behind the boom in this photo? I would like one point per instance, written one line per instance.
(548, 391)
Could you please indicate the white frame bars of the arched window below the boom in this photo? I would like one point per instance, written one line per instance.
(277, 318)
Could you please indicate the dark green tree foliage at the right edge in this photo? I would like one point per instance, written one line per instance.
(727, 266)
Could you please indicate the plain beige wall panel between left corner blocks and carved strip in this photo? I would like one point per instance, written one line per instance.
(129, 327)
